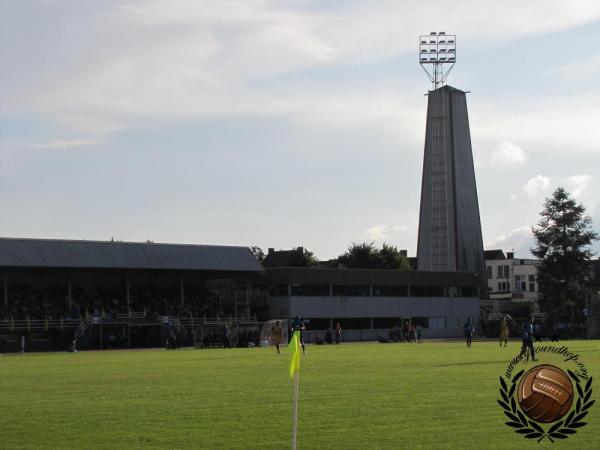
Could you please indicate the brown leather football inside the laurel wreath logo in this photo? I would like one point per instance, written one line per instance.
(545, 393)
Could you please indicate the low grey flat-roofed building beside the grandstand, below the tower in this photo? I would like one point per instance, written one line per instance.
(368, 303)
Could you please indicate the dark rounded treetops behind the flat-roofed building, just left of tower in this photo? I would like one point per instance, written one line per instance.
(367, 256)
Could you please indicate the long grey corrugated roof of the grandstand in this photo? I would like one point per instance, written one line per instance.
(15, 252)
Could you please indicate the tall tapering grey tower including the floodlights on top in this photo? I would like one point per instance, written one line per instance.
(449, 224)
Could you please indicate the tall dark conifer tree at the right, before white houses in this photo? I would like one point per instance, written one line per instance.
(562, 243)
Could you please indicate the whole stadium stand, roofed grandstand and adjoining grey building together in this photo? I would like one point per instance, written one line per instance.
(109, 294)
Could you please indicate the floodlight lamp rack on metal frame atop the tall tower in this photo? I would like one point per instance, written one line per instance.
(437, 56)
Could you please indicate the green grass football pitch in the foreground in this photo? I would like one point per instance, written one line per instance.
(352, 396)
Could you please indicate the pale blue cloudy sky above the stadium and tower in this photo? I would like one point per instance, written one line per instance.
(285, 123)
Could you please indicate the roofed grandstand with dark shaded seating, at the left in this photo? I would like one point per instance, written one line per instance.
(110, 294)
